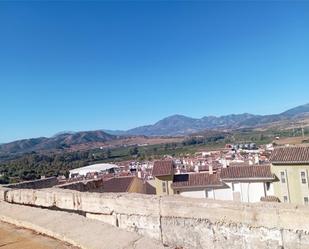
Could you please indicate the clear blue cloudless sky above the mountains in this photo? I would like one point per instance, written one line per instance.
(117, 65)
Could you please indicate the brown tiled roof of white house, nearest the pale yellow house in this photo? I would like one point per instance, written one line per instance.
(246, 172)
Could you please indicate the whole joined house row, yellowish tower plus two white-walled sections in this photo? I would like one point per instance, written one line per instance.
(239, 183)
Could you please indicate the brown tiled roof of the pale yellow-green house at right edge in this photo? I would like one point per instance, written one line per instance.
(286, 155)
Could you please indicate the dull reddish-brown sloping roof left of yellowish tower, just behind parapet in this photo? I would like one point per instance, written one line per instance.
(118, 184)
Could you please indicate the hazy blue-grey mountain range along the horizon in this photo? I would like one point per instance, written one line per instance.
(176, 125)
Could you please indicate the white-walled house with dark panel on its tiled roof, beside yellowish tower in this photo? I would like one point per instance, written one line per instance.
(198, 185)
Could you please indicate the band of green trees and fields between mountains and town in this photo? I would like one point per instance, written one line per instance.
(33, 165)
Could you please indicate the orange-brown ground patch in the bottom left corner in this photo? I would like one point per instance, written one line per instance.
(12, 237)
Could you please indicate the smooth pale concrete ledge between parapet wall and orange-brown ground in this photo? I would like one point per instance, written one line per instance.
(72, 228)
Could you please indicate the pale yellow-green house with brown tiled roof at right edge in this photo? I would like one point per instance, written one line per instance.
(291, 167)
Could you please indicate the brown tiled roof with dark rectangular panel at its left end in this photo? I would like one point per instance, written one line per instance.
(196, 180)
